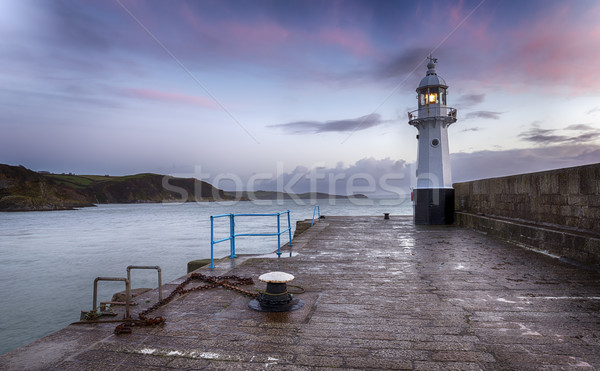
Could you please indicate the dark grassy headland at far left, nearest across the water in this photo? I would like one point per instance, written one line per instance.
(24, 190)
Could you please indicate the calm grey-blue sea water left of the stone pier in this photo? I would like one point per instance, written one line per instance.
(49, 260)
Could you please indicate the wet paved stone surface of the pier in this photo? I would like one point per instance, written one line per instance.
(380, 294)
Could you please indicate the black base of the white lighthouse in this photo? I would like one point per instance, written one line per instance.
(434, 206)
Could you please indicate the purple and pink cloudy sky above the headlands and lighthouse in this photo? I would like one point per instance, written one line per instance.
(295, 94)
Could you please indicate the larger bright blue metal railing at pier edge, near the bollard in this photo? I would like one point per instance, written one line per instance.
(233, 235)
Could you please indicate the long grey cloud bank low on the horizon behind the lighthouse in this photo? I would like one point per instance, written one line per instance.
(389, 177)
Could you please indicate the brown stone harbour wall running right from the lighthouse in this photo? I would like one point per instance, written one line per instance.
(557, 211)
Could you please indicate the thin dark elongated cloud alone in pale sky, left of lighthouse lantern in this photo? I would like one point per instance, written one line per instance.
(340, 126)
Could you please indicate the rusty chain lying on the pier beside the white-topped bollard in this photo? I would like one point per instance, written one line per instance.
(229, 282)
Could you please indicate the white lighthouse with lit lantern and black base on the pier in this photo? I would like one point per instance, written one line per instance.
(433, 195)
